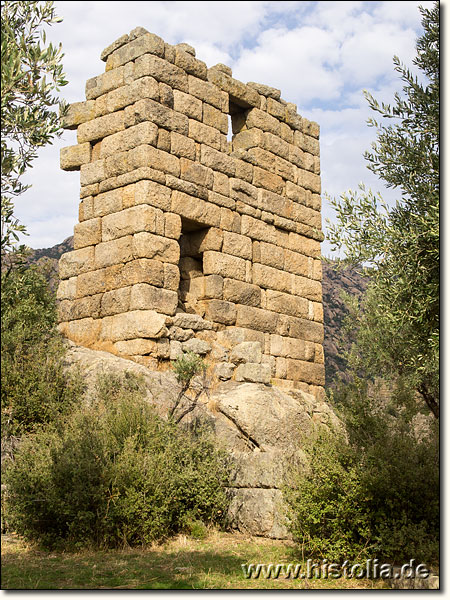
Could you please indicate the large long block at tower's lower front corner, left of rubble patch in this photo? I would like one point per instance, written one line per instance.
(132, 325)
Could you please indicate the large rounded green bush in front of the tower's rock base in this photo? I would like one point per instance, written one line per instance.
(115, 473)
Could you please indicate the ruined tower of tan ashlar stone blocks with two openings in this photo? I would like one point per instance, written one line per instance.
(188, 240)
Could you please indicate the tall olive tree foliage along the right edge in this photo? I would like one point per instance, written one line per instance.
(398, 321)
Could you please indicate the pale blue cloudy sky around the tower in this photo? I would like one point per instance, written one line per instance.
(321, 55)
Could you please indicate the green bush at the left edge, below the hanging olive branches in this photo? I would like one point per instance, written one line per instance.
(35, 385)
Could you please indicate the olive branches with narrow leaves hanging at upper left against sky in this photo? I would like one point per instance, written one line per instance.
(31, 73)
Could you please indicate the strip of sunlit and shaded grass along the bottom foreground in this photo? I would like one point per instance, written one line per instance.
(181, 563)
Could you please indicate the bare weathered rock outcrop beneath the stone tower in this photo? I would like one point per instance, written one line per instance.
(259, 425)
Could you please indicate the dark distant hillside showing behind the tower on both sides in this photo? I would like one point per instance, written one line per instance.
(334, 283)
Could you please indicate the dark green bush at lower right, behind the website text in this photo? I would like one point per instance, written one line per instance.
(372, 491)
